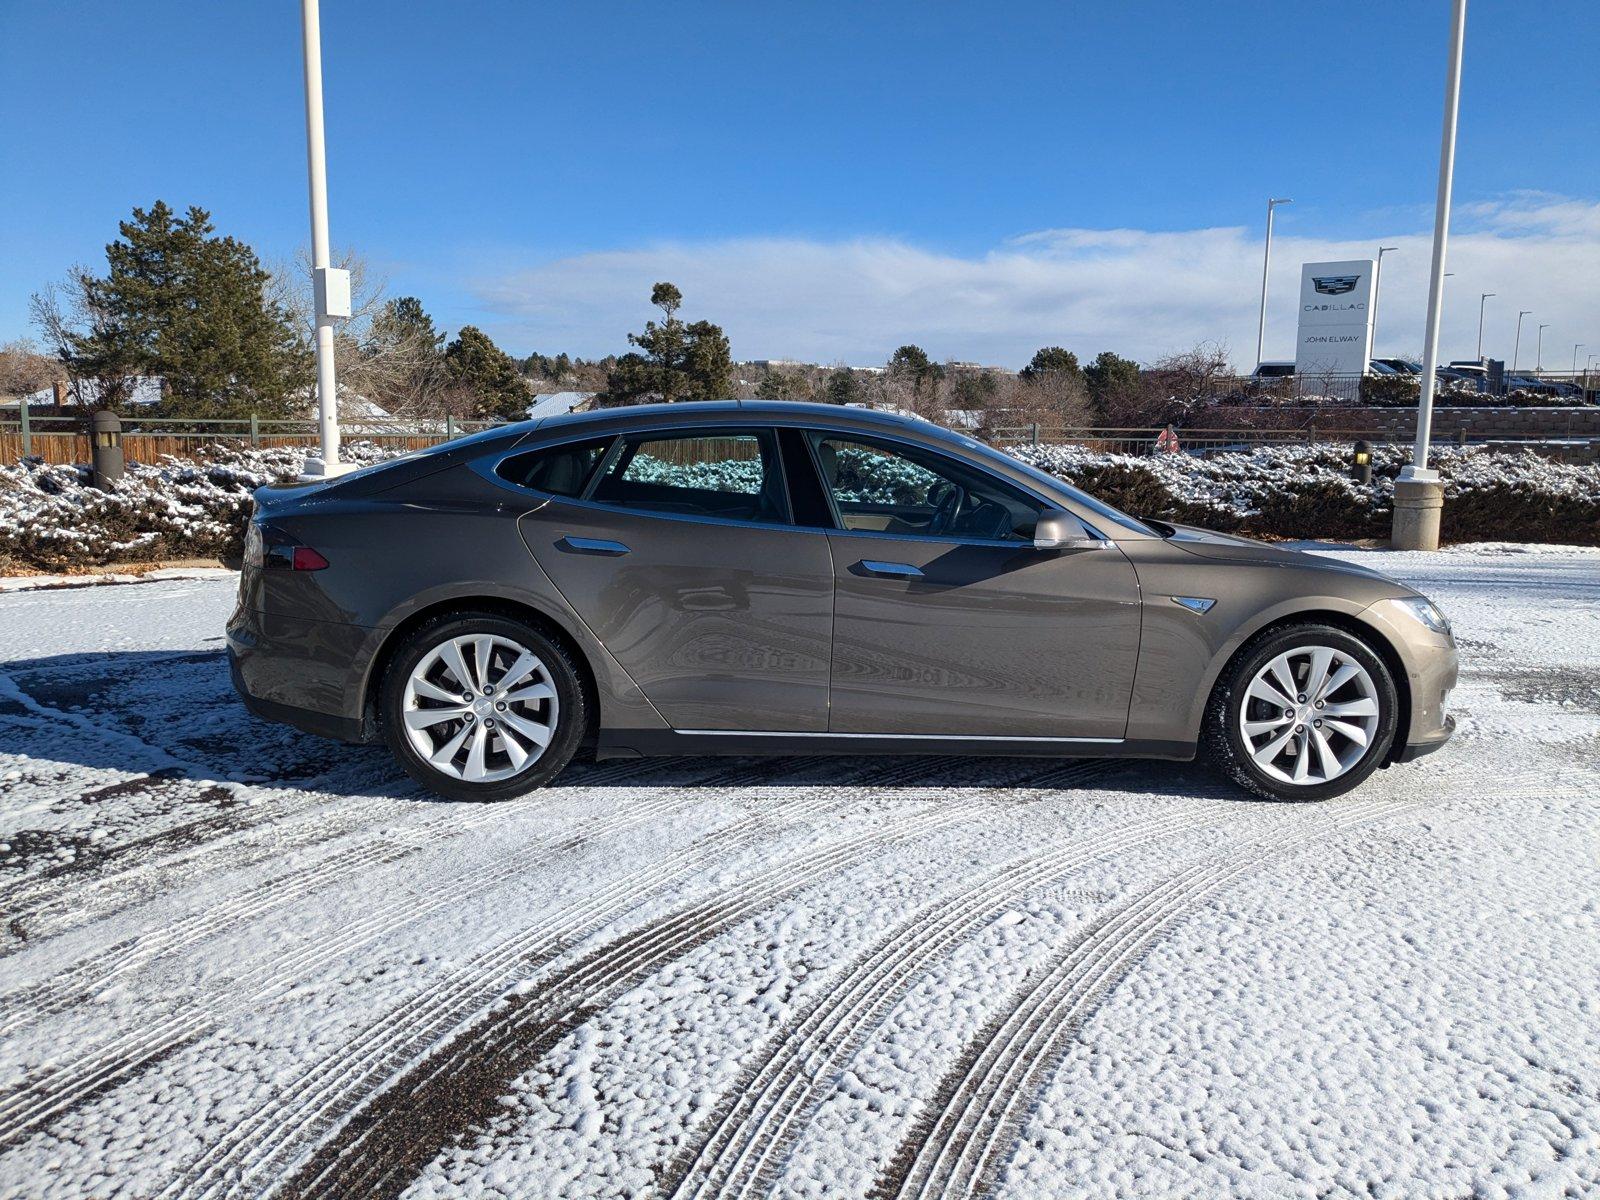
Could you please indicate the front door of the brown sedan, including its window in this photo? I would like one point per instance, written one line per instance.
(950, 623)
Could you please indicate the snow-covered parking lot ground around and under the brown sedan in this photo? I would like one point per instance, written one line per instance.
(239, 961)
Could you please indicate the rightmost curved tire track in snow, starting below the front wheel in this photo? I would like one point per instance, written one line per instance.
(956, 1148)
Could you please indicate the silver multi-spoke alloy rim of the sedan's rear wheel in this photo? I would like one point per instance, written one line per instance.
(481, 708)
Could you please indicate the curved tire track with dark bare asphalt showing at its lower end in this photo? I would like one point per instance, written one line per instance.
(457, 1089)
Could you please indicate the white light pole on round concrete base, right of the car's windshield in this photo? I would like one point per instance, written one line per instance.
(1418, 492)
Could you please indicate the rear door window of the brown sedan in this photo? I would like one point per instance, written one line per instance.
(730, 476)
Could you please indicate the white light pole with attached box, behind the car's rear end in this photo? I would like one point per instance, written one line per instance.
(332, 289)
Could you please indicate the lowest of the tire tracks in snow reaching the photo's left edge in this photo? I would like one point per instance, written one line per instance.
(62, 1090)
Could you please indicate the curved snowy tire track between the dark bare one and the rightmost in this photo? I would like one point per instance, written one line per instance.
(758, 1126)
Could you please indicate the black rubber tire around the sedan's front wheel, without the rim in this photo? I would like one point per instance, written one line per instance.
(1223, 742)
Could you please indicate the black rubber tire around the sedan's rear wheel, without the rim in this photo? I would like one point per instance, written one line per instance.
(572, 719)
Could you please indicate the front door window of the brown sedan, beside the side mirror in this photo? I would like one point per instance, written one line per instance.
(886, 489)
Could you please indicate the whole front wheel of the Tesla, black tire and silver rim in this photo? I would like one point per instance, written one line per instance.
(1305, 713)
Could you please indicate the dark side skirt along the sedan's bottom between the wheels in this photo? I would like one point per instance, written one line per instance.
(657, 743)
